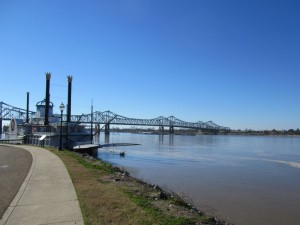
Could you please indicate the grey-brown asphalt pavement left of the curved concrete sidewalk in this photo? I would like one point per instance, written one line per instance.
(14, 167)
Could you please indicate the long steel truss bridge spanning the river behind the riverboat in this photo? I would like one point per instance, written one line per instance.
(107, 117)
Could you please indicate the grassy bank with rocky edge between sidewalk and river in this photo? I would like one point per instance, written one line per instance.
(108, 195)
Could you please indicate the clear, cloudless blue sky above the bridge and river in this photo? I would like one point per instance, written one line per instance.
(234, 62)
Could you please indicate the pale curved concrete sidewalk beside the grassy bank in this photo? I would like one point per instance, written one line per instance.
(47, 195)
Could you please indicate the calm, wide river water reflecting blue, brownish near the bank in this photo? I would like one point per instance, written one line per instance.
(244, 180)
